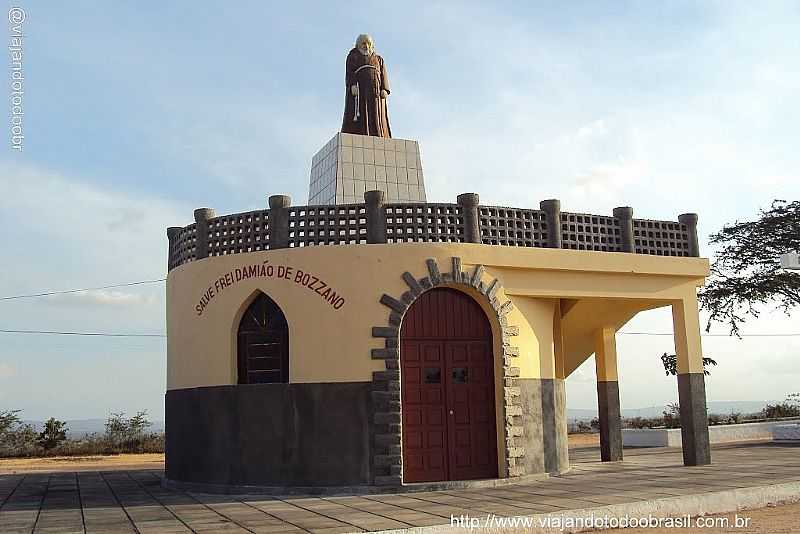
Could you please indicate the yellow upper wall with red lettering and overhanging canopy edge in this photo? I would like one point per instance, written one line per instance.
(333, 345)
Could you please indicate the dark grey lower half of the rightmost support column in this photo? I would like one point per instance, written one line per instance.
(694, 419)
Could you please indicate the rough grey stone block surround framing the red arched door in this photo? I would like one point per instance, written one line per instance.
(387, 454)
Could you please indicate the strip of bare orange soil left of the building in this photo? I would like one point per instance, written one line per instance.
(62, 464)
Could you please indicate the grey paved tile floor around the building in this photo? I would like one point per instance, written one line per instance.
(134, 501)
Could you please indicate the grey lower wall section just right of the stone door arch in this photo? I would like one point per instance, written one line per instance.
(544, 425)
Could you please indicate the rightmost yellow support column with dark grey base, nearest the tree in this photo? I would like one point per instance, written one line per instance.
(691, 381)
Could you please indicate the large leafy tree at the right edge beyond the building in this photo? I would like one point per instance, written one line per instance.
(746, 272)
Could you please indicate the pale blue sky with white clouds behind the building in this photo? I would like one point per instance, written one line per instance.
(135, 113)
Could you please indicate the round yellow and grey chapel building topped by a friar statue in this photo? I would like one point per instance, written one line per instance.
(373, 339)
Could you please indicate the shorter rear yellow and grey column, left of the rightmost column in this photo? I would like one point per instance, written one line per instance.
(605, 358)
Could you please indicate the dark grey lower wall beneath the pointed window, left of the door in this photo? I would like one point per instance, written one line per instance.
(270, 434)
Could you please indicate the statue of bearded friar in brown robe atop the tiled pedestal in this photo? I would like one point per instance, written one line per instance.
(367, 87)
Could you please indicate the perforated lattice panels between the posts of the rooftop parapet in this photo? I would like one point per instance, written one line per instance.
(429, 222)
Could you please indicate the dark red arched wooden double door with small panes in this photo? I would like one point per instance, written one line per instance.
(447, 389)
